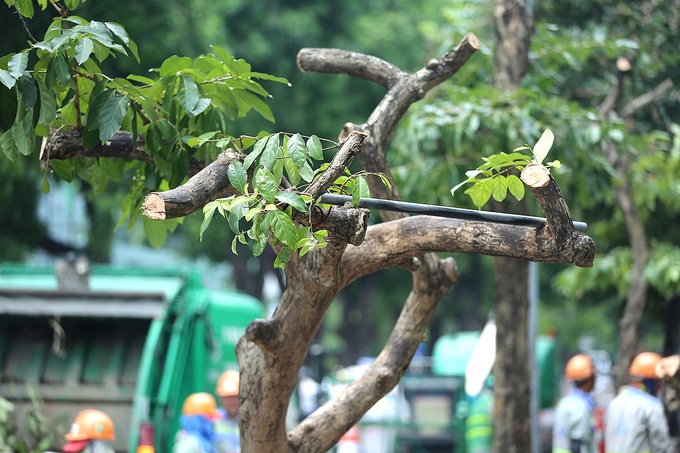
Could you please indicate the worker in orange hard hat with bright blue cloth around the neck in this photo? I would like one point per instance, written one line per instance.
(196, 433)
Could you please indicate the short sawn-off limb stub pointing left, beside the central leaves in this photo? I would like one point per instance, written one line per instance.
(207, 185)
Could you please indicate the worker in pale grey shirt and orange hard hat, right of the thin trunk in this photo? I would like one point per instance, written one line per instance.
(635, 420)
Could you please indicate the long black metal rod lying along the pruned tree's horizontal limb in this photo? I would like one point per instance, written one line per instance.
(443, 211)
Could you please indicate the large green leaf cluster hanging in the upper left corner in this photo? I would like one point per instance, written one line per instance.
(57, 83)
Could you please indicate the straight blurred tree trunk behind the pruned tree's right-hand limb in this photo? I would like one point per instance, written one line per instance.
(511, 425)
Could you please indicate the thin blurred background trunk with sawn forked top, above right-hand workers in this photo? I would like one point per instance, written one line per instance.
(629, 325)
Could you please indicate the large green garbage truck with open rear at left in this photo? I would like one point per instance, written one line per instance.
(131, 342)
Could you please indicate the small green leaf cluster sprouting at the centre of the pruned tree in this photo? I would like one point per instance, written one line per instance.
(280, 165)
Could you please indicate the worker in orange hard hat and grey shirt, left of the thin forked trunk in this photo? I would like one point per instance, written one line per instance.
(573, 431)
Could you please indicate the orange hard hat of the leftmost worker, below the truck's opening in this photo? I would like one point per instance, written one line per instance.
(91, 432)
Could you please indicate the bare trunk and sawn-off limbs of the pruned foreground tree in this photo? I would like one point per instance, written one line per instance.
(272, 351)
